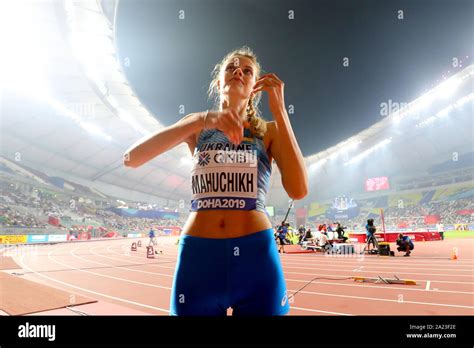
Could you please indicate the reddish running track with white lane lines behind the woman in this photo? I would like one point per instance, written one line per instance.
(126, 282)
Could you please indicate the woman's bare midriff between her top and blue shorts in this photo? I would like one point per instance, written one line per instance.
(225, 223)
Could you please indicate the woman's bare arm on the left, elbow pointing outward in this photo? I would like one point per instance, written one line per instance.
(154, 145)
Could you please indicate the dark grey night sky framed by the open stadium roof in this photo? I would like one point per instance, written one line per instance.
(168, 60)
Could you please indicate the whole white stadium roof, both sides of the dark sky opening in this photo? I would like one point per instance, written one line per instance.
(68, 110)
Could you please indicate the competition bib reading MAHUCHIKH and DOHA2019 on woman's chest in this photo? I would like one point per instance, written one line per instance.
(224, 176)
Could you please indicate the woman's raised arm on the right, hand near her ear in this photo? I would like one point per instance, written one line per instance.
(283, 145)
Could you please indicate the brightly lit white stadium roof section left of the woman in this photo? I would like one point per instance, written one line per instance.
(67, 107)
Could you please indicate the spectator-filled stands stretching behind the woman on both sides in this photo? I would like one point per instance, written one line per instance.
(31, 207)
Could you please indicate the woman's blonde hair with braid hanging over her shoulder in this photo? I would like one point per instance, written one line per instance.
(258, 126)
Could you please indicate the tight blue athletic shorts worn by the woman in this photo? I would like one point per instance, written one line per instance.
(244, 273)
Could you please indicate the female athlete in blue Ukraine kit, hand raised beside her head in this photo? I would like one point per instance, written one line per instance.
(227, 256)
